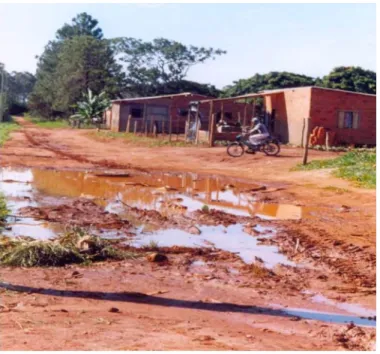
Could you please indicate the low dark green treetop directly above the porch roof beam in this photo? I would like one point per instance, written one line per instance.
(270, 81)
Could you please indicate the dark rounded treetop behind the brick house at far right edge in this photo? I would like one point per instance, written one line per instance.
(352, 78)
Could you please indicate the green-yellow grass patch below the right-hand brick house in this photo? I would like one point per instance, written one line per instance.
(356, 166)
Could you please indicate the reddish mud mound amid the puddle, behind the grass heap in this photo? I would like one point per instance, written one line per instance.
(81, 212)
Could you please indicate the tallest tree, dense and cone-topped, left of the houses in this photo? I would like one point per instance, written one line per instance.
(79, 59)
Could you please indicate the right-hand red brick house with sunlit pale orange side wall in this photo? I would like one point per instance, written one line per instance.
(350, 115)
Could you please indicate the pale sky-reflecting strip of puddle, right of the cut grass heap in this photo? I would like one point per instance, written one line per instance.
(230, 238)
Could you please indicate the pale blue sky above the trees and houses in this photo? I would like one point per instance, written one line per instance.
(309, 39)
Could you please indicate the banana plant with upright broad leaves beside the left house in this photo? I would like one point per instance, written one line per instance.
(91, 109)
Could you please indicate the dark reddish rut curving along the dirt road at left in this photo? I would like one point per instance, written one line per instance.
(76, 157)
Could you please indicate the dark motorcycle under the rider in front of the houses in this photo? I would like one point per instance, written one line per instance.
(269, 146)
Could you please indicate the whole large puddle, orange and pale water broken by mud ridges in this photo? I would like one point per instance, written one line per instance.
(167, 193)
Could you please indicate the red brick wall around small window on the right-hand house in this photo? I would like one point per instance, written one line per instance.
(325, 107)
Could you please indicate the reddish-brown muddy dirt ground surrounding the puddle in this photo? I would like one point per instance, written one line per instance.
(184, 304)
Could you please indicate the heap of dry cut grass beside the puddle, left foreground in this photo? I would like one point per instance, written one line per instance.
(75, 246)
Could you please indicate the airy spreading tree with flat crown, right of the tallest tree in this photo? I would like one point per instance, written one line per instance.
(152, 67)
